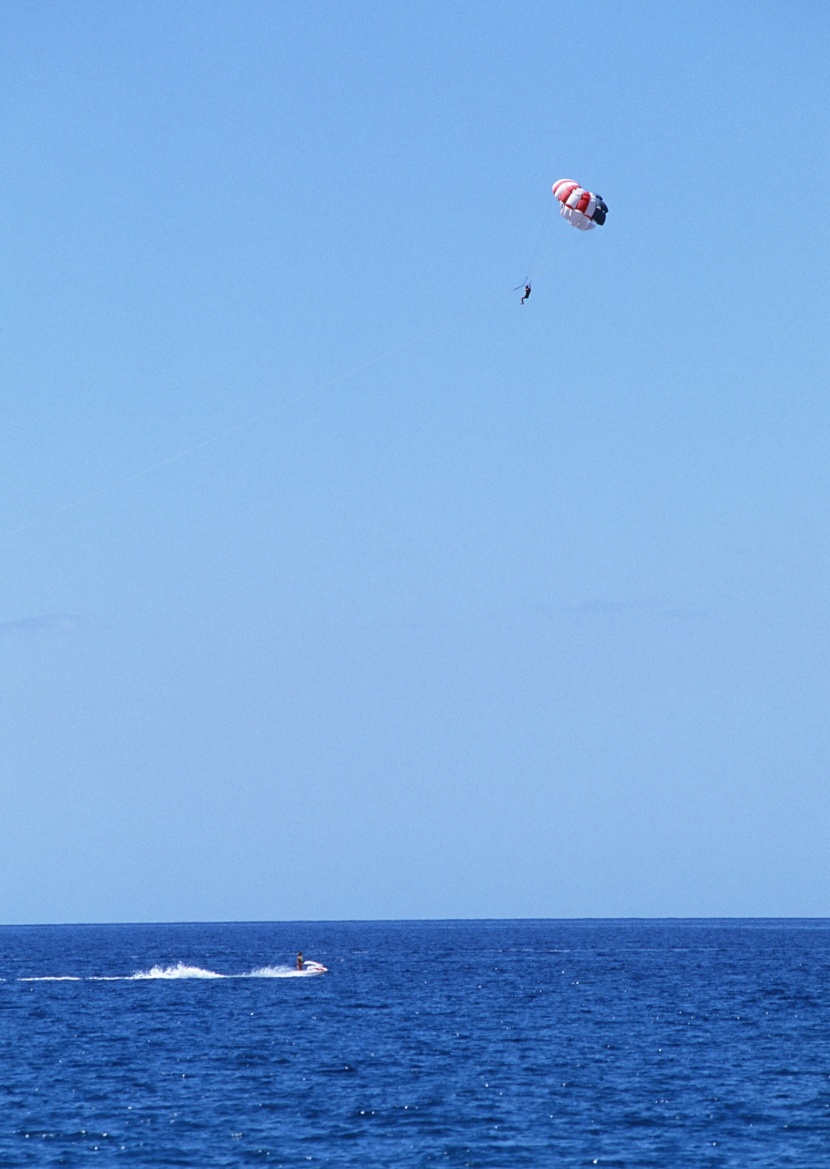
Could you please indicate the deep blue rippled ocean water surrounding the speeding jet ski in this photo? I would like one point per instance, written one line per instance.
(478, 1043)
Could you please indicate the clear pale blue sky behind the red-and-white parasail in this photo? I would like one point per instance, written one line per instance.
(529, 619)
